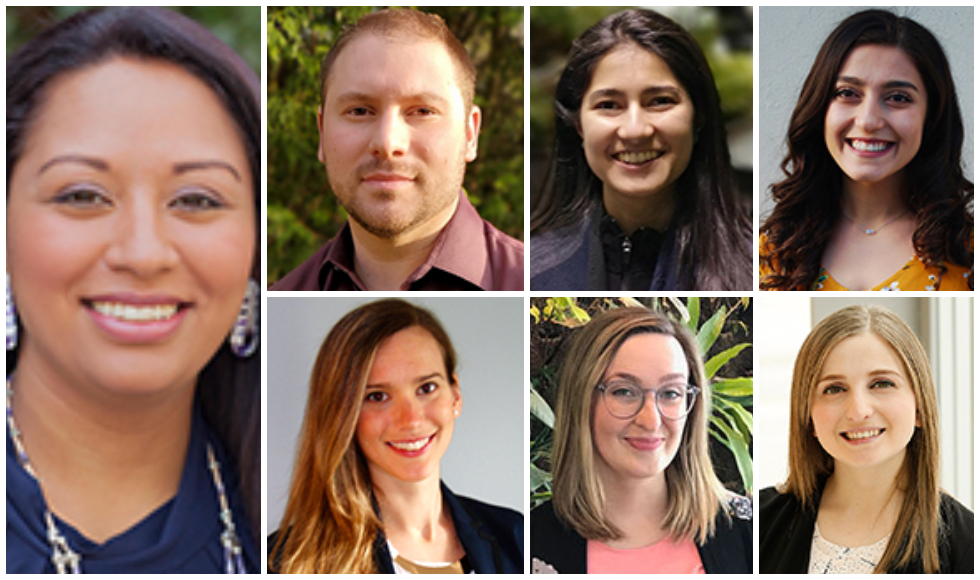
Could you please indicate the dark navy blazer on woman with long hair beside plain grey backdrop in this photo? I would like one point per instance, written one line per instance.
(492, 537)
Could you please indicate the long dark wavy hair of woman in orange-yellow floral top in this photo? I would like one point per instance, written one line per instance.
(808, 199)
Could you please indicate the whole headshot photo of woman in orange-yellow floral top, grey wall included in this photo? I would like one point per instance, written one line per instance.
(866, 151)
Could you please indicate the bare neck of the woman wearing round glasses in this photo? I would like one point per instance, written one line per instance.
(637, 507)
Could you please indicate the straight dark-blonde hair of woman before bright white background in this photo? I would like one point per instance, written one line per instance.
(916, 533)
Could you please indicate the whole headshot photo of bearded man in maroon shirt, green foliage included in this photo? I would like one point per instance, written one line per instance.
(396, 148)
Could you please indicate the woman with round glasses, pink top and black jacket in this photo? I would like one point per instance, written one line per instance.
(634, 490)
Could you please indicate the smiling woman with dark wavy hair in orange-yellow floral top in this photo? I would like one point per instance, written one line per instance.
(874, 196)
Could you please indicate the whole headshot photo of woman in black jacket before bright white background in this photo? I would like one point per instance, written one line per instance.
(865, 456)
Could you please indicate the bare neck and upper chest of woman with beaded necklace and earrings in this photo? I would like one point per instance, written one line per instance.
(103, 462)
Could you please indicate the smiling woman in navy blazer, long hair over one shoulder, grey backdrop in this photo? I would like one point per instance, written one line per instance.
(367, 494)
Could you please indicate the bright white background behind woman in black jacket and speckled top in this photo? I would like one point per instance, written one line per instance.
(945, 327)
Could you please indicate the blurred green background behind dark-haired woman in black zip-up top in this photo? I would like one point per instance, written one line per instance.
(724, 33)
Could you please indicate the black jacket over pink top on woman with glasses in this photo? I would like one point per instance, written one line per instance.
(729, 551)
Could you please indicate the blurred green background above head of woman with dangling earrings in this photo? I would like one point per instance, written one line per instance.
(239, 26)
